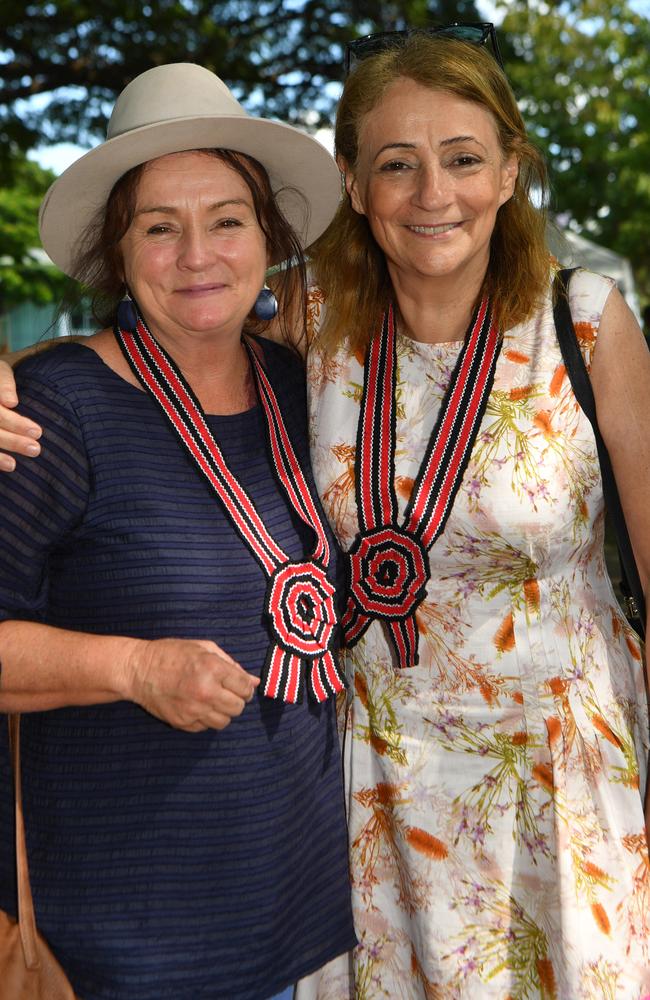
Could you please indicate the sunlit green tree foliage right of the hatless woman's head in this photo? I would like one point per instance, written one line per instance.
(581, 71)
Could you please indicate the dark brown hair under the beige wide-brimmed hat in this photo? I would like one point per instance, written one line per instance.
(98, 264)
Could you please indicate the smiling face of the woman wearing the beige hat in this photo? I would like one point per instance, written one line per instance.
(194, 256)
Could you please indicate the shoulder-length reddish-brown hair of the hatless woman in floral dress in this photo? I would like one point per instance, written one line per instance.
(347, 262)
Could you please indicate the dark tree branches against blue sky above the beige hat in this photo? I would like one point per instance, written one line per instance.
(280, 56)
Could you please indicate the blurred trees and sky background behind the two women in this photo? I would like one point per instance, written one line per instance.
(581, 72)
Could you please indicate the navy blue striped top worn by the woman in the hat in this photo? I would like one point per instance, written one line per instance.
(165, 864)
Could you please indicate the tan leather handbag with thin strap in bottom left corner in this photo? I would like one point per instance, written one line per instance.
(28, 969)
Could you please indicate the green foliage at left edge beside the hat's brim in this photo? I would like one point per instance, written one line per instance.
(25, 273)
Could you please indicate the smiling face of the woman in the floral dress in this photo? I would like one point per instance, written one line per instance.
(430, 178)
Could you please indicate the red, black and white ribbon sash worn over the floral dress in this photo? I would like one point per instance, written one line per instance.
(389, 568)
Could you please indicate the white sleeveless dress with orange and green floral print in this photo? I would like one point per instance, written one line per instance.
(495, 790)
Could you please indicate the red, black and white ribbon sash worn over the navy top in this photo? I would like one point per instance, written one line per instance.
(300, 600)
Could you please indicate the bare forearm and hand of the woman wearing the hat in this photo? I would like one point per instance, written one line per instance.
(190, 684)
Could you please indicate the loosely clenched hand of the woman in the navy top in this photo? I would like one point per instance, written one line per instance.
(191, 684)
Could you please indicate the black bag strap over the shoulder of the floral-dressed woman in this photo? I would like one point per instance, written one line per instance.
(630, 584)
